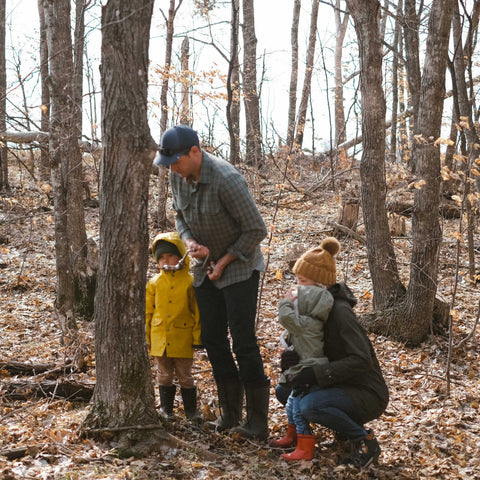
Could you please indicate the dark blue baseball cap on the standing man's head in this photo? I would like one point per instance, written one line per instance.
(176, 141)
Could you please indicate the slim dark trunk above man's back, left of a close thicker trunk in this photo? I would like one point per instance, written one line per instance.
(233, 87)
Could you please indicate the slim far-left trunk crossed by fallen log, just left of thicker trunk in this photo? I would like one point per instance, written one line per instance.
(44, 167)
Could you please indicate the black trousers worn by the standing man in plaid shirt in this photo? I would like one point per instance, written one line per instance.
(233, 309)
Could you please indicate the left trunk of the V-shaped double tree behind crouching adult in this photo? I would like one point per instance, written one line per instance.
(381, 255)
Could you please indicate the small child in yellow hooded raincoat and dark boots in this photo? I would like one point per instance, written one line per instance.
(173, 323)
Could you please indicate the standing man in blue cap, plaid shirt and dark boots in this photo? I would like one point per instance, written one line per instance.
(217, 219)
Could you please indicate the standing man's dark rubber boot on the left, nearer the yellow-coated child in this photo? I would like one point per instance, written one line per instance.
(230, 399)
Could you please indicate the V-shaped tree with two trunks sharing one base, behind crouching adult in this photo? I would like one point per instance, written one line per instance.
(406, 317)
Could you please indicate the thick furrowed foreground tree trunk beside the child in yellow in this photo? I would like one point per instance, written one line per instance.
(123, 393)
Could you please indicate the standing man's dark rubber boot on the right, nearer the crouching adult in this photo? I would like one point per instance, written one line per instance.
(256, 425)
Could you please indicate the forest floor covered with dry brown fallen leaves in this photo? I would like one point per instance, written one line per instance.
(429, 431)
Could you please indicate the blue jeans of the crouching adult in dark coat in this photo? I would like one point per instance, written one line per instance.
(331, 407)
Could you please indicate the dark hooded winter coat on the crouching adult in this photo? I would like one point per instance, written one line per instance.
(353, 365)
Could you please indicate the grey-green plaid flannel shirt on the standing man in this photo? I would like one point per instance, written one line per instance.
(219, 212)
